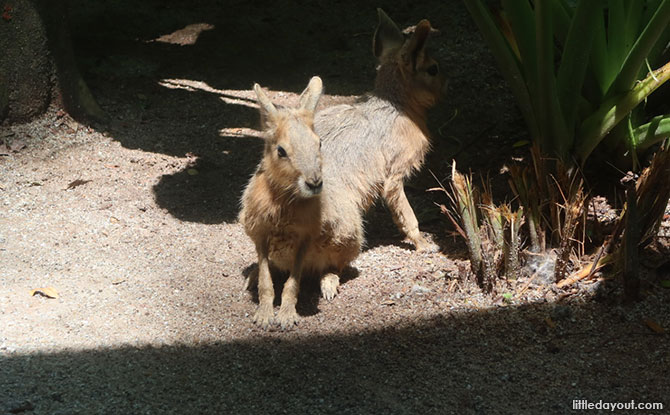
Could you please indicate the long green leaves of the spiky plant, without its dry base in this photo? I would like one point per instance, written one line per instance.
(578, 69)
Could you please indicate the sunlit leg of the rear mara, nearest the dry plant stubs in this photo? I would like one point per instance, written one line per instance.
(403, 215)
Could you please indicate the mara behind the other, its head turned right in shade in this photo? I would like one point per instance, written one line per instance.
(374, 144)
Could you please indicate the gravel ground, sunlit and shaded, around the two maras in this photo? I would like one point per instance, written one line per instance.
(134, 225)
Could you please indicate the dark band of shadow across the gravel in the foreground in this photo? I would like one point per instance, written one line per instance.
(501, 361)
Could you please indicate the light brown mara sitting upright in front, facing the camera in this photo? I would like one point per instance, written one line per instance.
(295, 225)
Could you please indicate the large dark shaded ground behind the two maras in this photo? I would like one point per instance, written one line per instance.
(127, 50)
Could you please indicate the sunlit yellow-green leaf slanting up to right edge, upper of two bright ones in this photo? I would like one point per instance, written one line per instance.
(613, 110)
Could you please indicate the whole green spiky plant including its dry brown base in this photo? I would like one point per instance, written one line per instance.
(579, 70)
